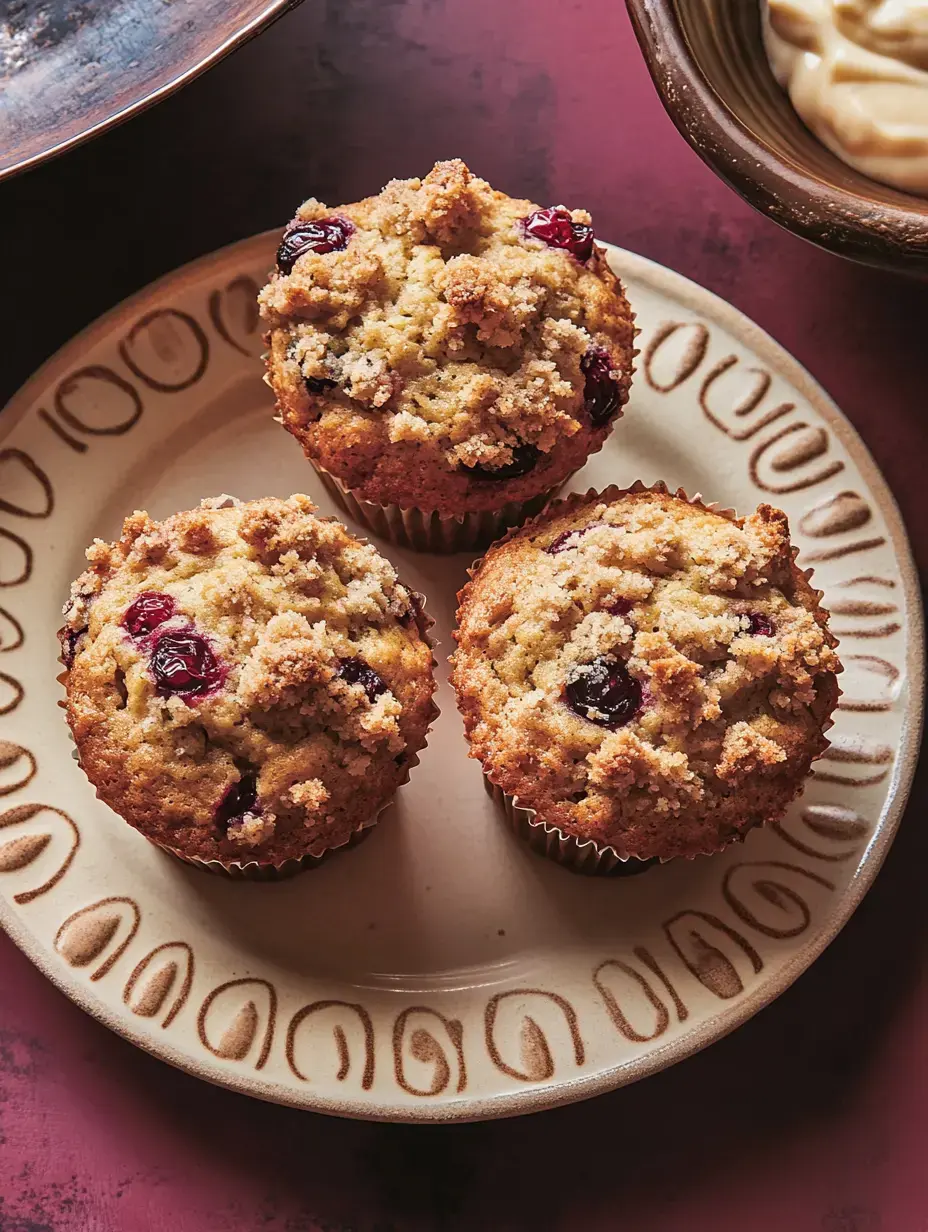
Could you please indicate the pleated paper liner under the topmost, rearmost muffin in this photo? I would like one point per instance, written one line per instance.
(432, 532)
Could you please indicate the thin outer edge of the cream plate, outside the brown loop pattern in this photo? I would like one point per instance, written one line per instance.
(466, 1109)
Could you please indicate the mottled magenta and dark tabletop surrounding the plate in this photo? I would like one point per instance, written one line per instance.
(814, 1117)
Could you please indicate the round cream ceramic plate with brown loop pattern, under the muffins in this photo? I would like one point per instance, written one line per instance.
(441, 971)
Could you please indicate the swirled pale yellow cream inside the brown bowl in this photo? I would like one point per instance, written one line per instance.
(857, 73)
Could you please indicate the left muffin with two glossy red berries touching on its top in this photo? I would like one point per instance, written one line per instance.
(247, 683)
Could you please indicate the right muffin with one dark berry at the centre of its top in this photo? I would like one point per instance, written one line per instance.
(644, 677)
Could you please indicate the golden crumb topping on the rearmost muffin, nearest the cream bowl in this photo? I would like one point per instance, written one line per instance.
(443, 325)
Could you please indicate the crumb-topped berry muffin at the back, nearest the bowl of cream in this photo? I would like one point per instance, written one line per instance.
(447, 355)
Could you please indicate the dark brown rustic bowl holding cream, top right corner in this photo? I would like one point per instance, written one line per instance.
(710, 68)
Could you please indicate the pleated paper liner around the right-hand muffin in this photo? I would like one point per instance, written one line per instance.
(586, 856)
